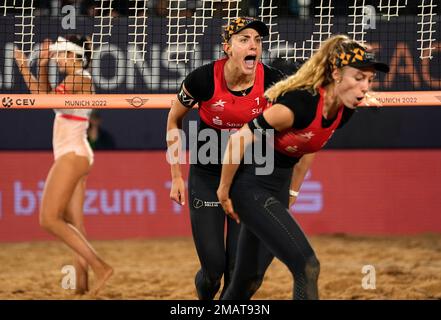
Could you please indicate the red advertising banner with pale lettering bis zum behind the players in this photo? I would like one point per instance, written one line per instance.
(353, 192)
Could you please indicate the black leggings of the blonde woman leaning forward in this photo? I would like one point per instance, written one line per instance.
(262, 202)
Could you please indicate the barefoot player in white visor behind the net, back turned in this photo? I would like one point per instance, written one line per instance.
(61, 211)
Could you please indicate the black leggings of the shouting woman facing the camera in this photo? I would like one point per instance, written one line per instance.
(217, 255)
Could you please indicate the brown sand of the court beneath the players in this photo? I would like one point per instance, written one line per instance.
(405, 268)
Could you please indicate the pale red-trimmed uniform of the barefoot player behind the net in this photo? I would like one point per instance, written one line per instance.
(70, 128)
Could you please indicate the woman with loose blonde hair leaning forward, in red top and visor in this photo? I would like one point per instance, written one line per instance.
(307, 108)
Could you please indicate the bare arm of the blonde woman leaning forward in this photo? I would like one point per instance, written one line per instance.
(280, 118)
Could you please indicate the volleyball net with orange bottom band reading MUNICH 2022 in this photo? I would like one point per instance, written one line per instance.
(141, 50)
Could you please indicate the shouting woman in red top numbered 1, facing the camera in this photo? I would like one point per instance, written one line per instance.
(229, 93)
